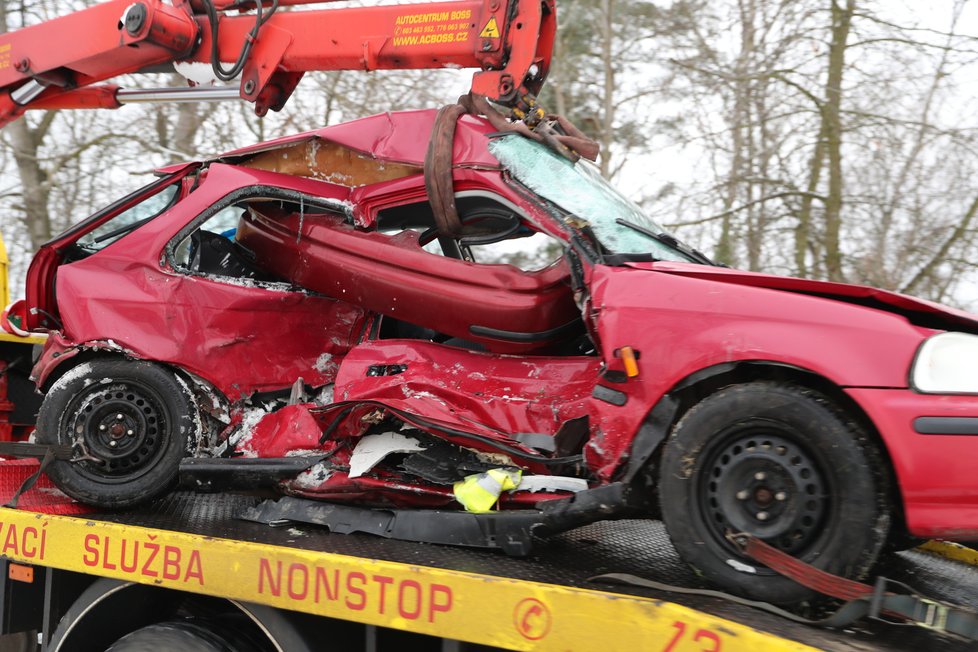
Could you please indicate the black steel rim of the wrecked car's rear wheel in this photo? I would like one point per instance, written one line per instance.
(119, 430)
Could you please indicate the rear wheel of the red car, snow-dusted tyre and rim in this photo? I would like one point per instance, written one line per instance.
(128, 423)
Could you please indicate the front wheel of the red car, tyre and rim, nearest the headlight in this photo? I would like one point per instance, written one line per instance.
(784, 464)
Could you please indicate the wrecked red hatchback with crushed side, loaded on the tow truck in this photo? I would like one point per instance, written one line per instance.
(297, 314)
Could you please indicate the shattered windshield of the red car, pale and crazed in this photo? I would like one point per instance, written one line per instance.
(581, 191)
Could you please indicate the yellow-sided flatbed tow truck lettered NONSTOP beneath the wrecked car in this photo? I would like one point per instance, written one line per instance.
(82, 581)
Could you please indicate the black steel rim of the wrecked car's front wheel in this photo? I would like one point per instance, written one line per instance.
(759, 478)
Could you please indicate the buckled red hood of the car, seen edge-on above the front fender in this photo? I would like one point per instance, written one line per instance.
(918, 311)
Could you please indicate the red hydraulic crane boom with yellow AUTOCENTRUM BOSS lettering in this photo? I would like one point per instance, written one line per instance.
(62, 63)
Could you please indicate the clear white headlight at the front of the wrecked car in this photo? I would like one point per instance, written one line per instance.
(947, 363)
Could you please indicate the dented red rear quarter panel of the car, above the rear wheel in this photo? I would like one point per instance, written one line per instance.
(144, 295)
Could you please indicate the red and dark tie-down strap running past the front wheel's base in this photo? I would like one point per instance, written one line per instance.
(886, 600)
